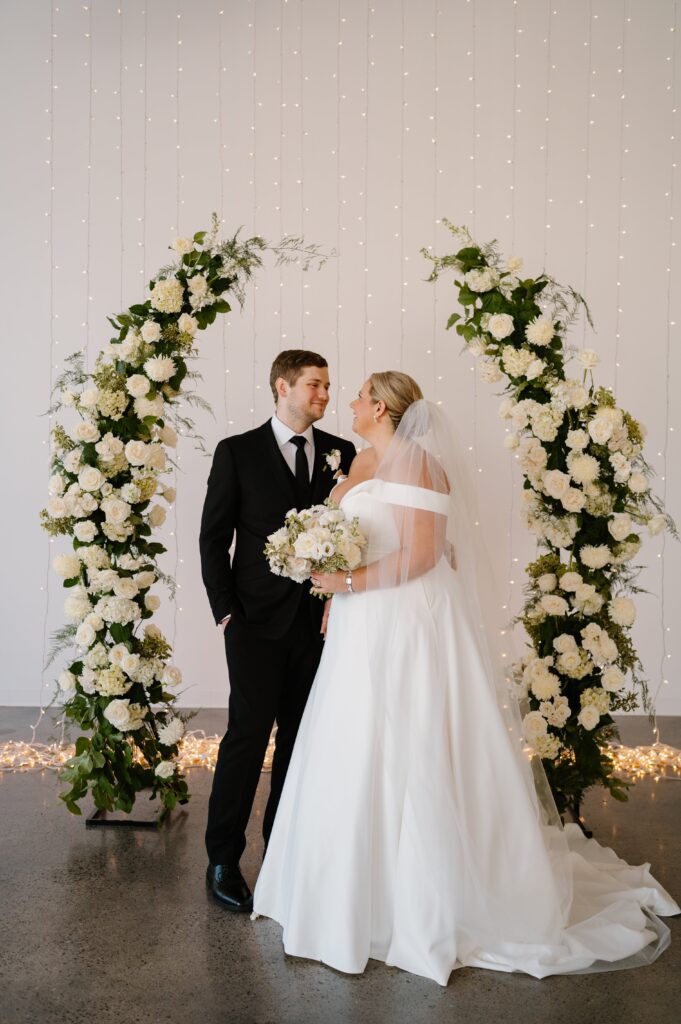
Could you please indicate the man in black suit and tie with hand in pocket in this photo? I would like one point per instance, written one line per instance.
(272, 625)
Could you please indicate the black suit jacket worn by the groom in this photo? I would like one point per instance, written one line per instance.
(250, 490)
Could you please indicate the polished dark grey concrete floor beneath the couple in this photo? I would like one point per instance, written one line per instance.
(115, 926)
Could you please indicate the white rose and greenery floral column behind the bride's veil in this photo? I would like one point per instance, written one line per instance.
(587, 498)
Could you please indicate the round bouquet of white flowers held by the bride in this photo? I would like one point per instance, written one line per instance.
(320, 539)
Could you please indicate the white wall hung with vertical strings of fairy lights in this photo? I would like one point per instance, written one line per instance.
(359, 123)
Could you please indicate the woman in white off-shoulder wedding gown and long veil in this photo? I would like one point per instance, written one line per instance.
(413, 829)
